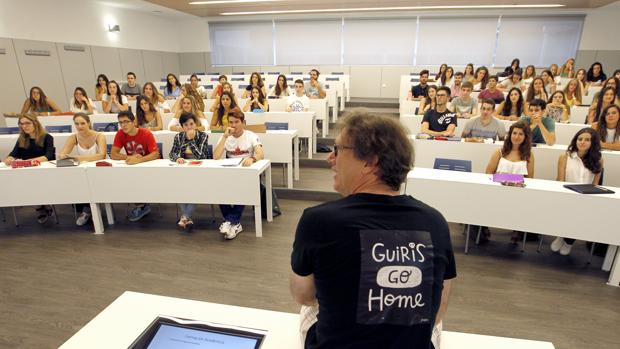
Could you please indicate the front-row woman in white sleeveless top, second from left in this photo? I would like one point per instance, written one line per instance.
(89, 145)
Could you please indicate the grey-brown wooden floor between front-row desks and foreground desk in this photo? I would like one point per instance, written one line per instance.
(55, 278)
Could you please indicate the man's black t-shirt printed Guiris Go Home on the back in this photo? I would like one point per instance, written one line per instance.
(378, 263)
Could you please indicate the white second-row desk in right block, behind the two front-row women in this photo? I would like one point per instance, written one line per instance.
(545, 157)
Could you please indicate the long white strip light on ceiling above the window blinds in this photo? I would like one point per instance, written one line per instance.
(404, 8)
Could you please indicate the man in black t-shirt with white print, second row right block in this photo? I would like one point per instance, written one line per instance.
(440, 122)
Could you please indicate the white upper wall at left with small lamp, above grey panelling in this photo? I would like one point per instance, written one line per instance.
(85, 22)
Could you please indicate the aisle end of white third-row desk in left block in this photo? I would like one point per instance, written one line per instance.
(303, 122)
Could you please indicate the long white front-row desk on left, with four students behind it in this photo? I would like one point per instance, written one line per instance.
(215, 185)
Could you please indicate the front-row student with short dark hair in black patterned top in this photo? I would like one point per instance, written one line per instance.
(191, 144)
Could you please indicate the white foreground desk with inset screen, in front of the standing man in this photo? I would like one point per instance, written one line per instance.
(131, 313)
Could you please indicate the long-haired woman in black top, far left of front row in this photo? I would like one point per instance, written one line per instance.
(33, 143)
